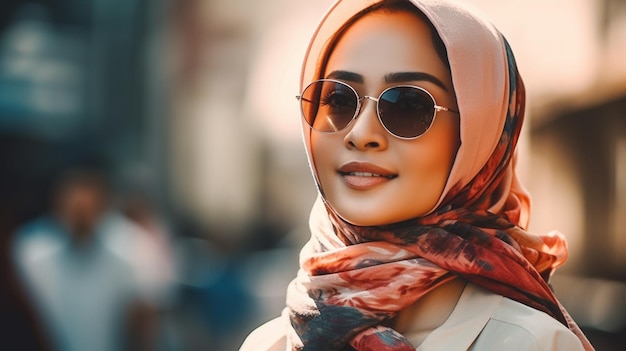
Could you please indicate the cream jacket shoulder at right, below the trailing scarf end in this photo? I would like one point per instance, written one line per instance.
(526, 329)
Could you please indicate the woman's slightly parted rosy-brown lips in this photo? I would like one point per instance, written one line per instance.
(363, 176)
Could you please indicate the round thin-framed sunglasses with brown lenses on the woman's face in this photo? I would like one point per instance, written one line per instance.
(405, 111)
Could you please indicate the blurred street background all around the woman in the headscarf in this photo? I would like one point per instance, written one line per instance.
(155, 193)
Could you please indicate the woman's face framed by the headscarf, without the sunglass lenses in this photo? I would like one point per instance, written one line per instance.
(368, 176)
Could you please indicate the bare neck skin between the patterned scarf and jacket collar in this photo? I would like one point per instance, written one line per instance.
(428, 313)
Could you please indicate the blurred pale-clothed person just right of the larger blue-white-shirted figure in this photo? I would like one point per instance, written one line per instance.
(149, 250)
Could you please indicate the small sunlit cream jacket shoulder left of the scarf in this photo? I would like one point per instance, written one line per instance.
(268, 337)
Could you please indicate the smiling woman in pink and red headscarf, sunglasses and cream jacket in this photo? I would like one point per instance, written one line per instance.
(411, 114)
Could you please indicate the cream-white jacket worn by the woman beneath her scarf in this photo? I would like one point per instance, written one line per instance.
(481, 321)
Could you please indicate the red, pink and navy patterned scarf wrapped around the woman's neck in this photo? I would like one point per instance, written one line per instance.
(353, 280)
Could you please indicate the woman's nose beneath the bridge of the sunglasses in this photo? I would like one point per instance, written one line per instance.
(366, 132)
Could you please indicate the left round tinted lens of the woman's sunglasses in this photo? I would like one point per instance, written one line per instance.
(328, 106)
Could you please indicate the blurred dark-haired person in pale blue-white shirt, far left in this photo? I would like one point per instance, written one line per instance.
(87, 295)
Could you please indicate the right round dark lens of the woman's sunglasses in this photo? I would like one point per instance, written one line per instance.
(407, 112)
